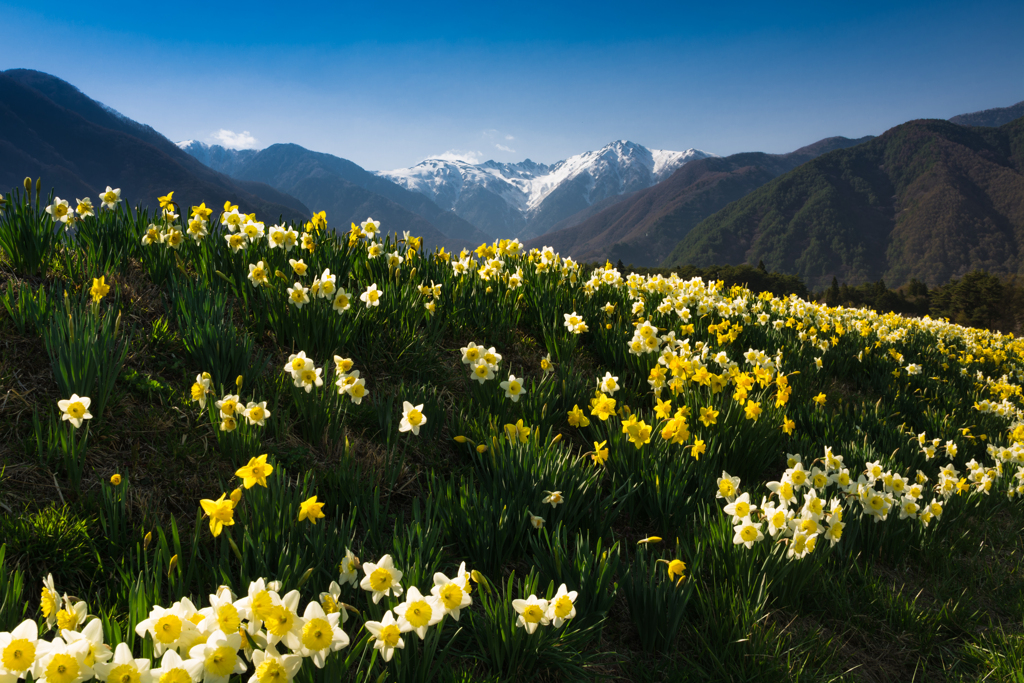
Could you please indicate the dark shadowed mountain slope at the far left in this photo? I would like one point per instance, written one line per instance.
(50, 129)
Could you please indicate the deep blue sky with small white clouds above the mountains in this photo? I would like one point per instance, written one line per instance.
(390, 84)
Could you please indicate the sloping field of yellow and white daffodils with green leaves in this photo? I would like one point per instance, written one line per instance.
(243, 452)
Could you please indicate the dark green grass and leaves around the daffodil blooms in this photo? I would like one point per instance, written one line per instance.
(891, 602)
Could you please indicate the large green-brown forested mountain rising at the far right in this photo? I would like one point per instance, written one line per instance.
(929, 200)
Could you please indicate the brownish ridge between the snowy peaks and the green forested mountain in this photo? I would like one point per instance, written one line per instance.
(646, 226)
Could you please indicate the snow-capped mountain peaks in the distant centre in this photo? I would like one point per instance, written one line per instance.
(528, 199)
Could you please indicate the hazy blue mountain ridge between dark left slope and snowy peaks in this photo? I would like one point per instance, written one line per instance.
(345, 190)
